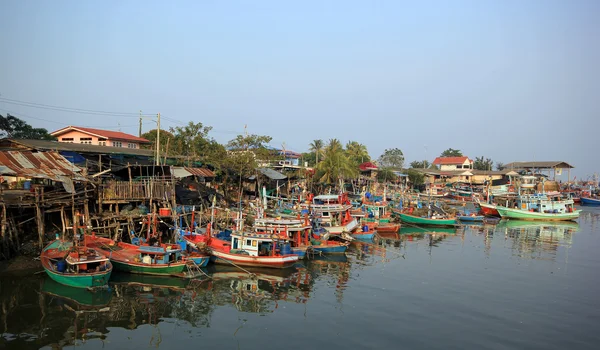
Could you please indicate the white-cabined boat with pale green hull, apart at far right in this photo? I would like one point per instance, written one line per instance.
(549, 207)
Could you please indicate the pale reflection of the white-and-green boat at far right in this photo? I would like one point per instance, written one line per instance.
(537, 239)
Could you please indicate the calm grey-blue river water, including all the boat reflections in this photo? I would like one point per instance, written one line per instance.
(517, 285)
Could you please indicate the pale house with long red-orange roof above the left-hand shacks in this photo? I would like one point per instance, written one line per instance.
(89, 136)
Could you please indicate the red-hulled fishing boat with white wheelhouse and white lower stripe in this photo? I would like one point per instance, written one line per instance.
(246, 248)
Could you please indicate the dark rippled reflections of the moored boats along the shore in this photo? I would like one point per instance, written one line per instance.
(38, 312)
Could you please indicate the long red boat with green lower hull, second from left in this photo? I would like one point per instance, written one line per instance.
(155, 259)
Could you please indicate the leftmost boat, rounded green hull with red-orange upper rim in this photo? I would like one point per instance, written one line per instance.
(75, 266)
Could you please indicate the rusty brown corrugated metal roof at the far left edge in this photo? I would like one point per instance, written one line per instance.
(40, 165)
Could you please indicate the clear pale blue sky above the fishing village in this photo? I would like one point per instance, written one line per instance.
(509, 80)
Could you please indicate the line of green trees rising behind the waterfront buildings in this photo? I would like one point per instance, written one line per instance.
(192, 145)
